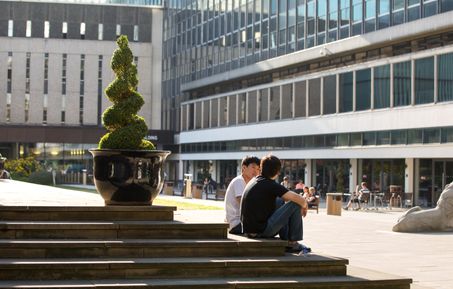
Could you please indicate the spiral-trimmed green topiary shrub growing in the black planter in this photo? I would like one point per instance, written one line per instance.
(126, 130)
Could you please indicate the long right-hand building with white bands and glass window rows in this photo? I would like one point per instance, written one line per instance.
(342, 91)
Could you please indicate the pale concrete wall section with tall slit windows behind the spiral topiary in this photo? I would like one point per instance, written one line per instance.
(74, 49)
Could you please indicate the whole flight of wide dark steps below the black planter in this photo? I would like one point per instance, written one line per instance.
(144, 247)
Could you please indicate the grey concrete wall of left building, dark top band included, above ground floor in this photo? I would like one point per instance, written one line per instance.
(147, 49)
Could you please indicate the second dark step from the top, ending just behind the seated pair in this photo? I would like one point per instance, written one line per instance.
(112, 230)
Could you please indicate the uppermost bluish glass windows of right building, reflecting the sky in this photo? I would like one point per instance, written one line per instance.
(203, 35)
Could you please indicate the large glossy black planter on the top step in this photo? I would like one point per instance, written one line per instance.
(128, 177)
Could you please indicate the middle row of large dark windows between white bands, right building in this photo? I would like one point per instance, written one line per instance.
(412, 82)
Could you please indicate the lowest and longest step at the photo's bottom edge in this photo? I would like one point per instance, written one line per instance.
(356, 278)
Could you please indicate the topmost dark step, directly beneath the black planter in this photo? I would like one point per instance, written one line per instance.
(87, 213)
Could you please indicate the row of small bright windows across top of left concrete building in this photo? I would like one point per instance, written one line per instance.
(64, 30)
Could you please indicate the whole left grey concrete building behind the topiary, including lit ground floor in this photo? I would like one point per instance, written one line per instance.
(55, 59)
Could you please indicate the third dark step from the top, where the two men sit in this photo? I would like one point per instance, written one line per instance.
(141, 248)
